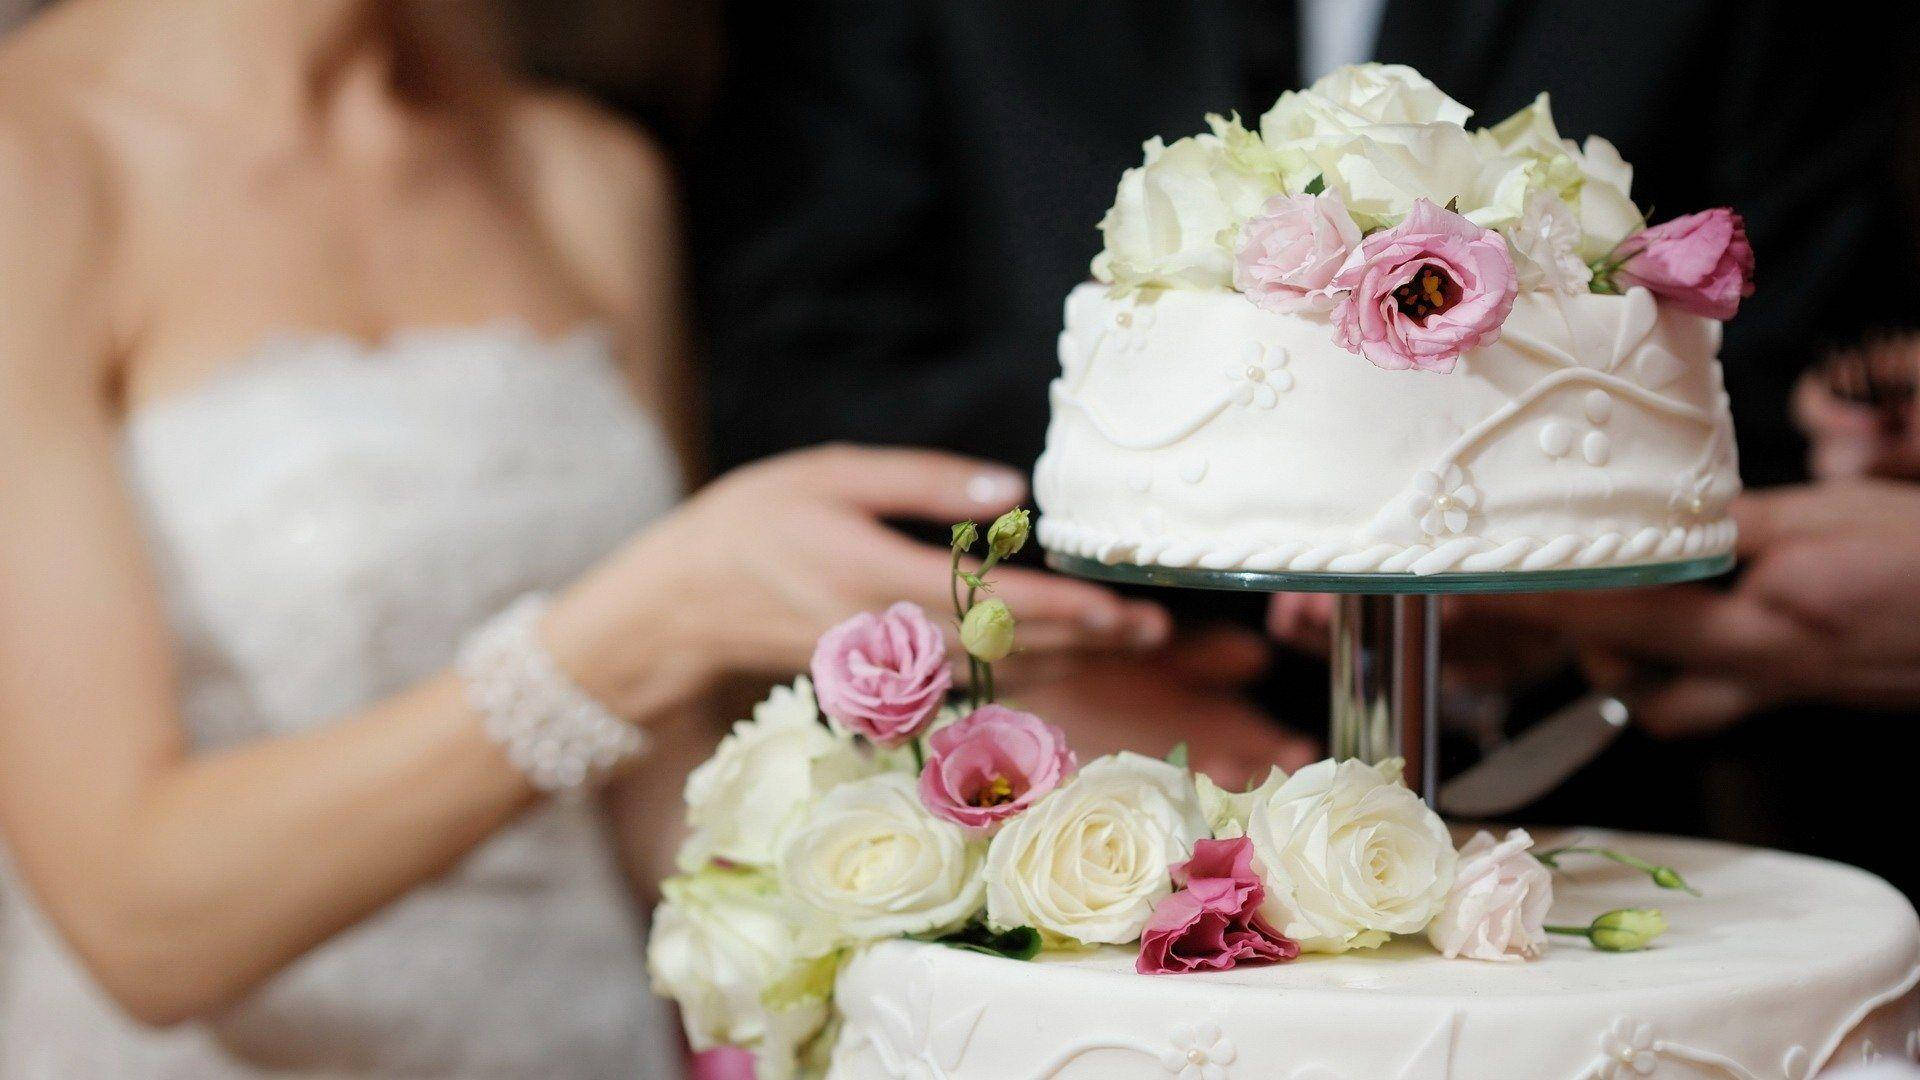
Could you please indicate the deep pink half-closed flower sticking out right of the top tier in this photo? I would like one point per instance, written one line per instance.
(1700, 262)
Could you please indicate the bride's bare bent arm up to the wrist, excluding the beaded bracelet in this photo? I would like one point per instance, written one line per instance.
(187, 879)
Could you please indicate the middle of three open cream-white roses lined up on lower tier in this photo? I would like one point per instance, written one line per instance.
(1090, 862)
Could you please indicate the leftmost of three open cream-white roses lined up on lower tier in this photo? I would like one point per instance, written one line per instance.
(869, 862)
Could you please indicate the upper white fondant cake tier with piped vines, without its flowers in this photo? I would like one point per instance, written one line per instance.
(1197, 430)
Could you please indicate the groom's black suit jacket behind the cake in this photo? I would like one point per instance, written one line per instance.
(898, 195)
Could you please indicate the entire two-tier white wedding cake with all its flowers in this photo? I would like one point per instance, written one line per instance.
(1360, 339)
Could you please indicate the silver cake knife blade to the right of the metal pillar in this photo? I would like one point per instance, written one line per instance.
(1539, 760)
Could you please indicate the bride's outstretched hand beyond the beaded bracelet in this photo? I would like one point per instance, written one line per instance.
(761, 562)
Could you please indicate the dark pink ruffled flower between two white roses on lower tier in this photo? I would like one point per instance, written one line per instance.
(1212, 921)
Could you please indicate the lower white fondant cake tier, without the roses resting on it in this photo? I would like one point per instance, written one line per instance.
(1785, 968)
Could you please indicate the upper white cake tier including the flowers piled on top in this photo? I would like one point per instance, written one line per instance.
(1370, 339)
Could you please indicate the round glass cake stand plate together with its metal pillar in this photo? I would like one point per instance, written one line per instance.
(1385, 658)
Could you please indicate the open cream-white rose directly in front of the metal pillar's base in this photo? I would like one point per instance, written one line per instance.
(1351, 856)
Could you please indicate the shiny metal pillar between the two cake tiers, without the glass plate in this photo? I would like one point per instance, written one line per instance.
(1385, 668)
